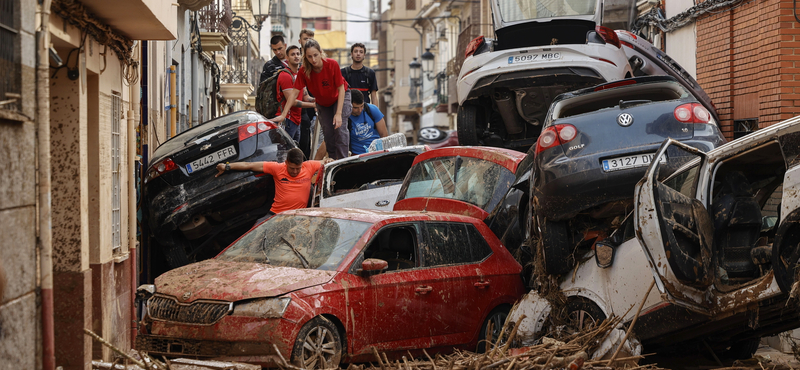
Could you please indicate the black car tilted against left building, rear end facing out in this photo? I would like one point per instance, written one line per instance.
(192, 215)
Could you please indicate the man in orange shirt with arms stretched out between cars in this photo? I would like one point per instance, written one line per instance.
(293, 179)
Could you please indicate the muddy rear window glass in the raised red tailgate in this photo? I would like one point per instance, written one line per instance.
(476, 181)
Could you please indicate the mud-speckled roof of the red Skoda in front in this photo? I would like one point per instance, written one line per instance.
(374, 216)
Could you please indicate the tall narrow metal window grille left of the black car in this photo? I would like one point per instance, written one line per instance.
(116, 162)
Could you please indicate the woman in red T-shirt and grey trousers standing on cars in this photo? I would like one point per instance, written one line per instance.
(324, 80)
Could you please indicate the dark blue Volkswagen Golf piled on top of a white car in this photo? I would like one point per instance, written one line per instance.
(595, 145)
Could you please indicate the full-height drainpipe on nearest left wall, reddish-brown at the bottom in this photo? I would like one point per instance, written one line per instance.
(44, 199)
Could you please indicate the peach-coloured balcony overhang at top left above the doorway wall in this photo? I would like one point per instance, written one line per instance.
(134, 19)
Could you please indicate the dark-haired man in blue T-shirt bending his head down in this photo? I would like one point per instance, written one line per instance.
(366, 124)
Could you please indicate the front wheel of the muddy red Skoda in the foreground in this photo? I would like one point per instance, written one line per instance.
(318, 345)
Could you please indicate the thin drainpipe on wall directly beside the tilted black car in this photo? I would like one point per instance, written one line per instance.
(133, 109)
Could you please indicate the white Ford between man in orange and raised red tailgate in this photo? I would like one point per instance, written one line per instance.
(368, 181)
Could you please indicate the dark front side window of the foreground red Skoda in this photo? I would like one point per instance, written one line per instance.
(394, 244)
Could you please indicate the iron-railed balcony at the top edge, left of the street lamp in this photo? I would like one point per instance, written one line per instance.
(214, 22)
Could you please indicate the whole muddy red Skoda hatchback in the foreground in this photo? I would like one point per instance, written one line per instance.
(350, 280)
